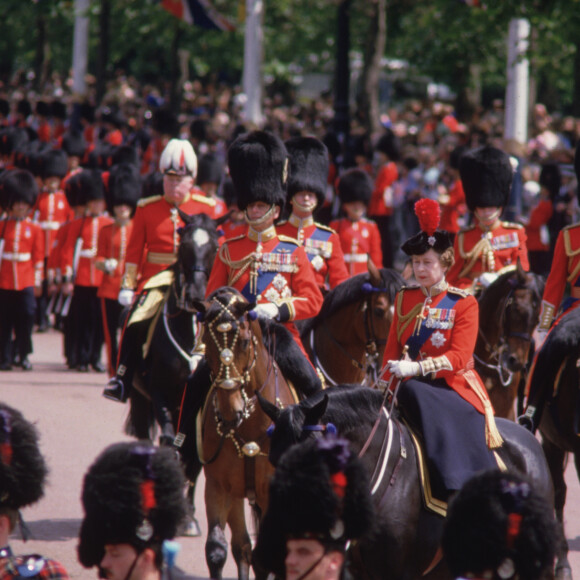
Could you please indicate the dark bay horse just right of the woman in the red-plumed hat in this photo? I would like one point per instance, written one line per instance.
(509, 310)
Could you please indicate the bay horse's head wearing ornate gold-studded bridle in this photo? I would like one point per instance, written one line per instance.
(231, 337)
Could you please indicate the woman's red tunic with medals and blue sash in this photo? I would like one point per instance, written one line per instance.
(440, 331)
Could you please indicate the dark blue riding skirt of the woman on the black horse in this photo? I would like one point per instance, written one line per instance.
(453, 432)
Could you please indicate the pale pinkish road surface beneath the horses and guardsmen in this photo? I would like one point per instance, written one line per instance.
(76, 423)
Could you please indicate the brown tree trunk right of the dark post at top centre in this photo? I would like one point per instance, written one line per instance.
(375, 50)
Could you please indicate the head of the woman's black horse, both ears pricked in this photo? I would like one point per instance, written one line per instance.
(293, 424)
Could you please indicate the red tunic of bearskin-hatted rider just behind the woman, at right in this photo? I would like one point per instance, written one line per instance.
(478, 251)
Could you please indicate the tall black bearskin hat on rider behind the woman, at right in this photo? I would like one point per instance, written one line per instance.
(486, 174)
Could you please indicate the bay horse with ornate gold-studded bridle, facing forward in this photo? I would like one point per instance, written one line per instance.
(231, 428)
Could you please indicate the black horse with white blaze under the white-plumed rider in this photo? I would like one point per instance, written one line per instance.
(173, 340)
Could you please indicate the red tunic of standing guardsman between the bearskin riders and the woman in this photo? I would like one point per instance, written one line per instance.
(359, 241)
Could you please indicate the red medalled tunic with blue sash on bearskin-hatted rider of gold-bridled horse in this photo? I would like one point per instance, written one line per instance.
(269, 268)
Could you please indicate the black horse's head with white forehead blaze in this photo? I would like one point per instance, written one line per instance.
(196, 253)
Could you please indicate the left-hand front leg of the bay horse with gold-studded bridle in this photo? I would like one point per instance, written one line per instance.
(217, 507)
